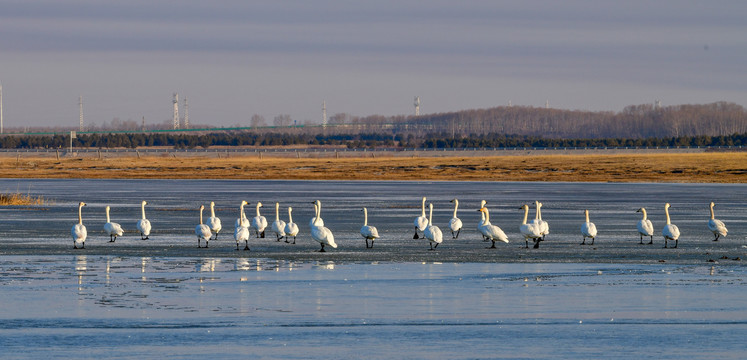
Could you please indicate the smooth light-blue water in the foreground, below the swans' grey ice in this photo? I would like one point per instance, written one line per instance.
(82, 306)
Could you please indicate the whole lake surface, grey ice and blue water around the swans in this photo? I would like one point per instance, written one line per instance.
(165, 298)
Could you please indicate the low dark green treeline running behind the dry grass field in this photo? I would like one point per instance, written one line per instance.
(353, 141)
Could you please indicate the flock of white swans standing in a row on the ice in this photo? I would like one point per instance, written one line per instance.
(535, 230)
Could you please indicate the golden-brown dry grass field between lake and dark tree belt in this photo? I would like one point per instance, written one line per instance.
(711, 167)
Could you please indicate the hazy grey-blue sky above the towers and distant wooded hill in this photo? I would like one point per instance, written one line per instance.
(236, 58)
